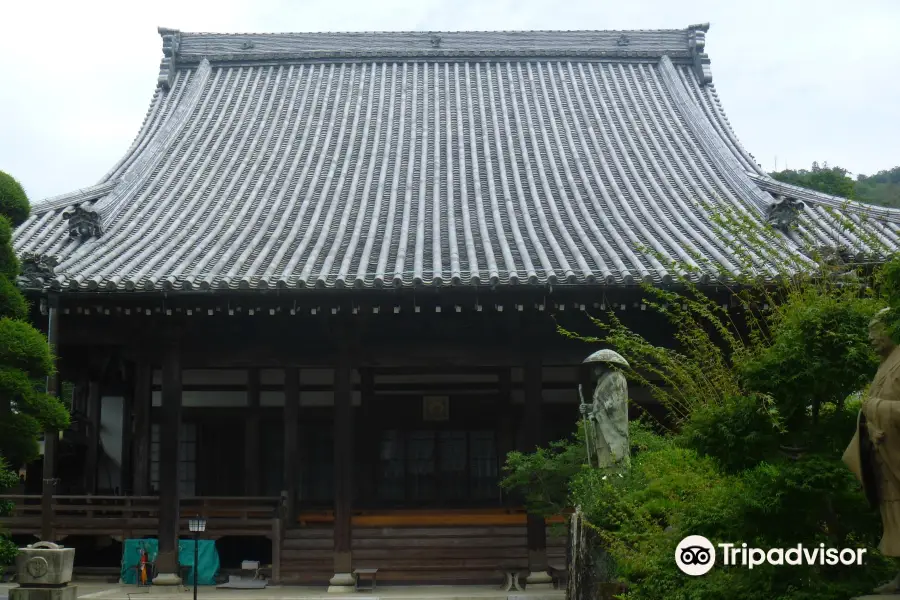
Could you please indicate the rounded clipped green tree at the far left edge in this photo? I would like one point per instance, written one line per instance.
(25, 357)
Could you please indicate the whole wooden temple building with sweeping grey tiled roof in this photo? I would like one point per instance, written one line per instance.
(316, 300)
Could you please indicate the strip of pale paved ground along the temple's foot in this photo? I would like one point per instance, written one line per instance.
(107, 591)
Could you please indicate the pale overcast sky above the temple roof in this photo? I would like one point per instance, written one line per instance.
(800, 80)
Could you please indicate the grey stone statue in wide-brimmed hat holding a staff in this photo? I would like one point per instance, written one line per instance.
(606, 417)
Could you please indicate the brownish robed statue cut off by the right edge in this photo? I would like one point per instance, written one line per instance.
(874, 452)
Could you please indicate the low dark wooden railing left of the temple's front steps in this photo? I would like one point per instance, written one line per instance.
(138, 516)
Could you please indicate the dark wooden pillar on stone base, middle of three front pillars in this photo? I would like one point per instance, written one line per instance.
(343, 475)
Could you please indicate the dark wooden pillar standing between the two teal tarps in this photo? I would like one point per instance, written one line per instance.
(169, 442)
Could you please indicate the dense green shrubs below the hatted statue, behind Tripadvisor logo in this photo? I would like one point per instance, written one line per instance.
(673, 491)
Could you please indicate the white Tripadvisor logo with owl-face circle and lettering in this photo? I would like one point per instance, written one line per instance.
(696, 555)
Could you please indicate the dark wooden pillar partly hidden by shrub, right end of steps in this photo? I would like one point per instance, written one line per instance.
(536, 528)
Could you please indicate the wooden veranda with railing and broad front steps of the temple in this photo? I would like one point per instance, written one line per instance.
(464, 546)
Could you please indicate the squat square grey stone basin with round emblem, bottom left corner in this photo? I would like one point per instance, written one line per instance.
(44, 571)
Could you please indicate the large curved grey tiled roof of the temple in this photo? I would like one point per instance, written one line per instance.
(401, 159)
